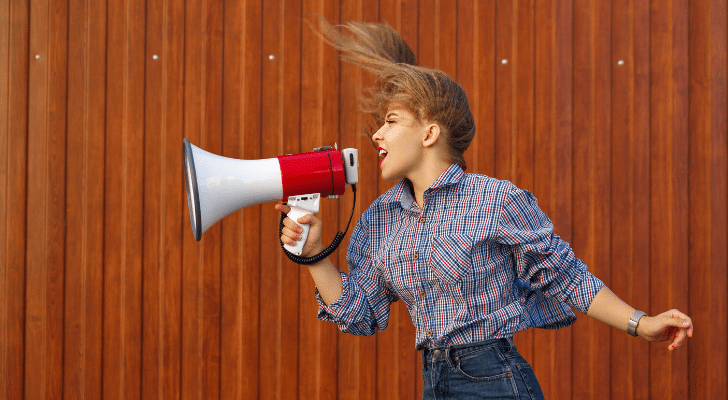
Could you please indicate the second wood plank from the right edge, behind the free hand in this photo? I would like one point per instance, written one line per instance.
(668, 184)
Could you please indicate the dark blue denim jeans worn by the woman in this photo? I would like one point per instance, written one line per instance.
(492, 369)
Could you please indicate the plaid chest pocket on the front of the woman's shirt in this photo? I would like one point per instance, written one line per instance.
(451, 257)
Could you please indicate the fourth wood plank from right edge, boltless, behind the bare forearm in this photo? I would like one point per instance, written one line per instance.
(592, 71)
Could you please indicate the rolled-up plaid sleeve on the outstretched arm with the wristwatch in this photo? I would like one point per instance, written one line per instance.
(541, 257)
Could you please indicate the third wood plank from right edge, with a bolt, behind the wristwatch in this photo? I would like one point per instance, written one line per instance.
(628, 192)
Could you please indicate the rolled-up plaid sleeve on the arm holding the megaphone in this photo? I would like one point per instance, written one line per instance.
(363, 307)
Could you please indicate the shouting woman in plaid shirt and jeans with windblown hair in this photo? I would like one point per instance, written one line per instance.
(474, 258)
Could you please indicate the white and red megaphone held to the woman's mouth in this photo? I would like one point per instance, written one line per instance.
(218, 186)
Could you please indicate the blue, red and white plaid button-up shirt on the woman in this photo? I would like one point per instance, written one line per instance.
(479, 261)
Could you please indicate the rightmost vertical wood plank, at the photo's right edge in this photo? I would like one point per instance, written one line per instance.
(707, 212)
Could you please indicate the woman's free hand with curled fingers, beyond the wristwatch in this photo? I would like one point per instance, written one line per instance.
(670, 325)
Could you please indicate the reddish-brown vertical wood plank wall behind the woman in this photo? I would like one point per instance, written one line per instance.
(613, 113)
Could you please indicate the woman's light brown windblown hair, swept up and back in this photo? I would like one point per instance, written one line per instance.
(428, 93)
